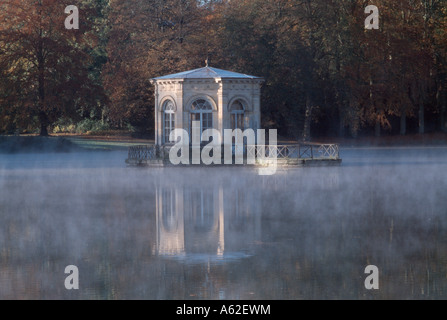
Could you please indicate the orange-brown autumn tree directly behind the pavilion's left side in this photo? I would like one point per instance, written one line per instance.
(145, 43)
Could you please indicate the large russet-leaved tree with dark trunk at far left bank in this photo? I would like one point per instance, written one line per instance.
(44, 65)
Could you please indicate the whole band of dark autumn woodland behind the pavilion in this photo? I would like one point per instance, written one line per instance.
(325, 73)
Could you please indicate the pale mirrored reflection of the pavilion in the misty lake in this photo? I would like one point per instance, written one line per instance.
(206, 223)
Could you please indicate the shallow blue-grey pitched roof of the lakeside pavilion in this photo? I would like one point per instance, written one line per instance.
(207, 73)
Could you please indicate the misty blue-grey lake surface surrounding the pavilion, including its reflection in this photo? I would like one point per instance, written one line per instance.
(224, 233)
